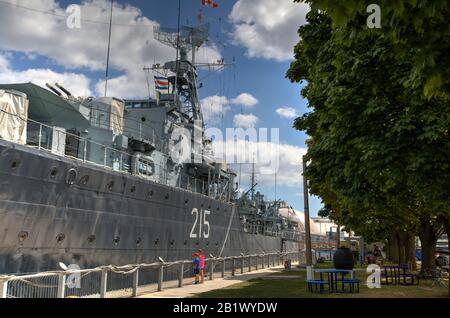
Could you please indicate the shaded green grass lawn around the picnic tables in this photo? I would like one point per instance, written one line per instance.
(295, 288)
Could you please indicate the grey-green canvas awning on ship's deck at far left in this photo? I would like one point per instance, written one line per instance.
(48, 108)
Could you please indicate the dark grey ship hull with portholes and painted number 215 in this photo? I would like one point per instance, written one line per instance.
(54, 209)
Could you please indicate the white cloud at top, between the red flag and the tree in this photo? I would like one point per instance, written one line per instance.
(268, 28)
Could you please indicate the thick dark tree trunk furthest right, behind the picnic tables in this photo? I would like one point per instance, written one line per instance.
(428, 241)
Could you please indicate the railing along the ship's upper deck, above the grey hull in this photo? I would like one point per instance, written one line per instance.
(44, 137)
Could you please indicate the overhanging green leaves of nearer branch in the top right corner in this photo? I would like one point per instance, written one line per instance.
(418, 25)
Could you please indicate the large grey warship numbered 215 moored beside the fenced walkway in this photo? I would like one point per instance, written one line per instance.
(90, 181)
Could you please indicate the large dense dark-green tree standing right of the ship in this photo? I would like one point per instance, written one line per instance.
(379, 145)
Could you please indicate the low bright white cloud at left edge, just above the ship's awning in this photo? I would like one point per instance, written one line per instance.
(78, 84)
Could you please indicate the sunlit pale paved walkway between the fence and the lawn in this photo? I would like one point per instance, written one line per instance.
(189, 289)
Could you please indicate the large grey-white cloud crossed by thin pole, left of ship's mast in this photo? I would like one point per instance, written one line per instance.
(132, 42)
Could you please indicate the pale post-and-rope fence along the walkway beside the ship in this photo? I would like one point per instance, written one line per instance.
(132, 280)
